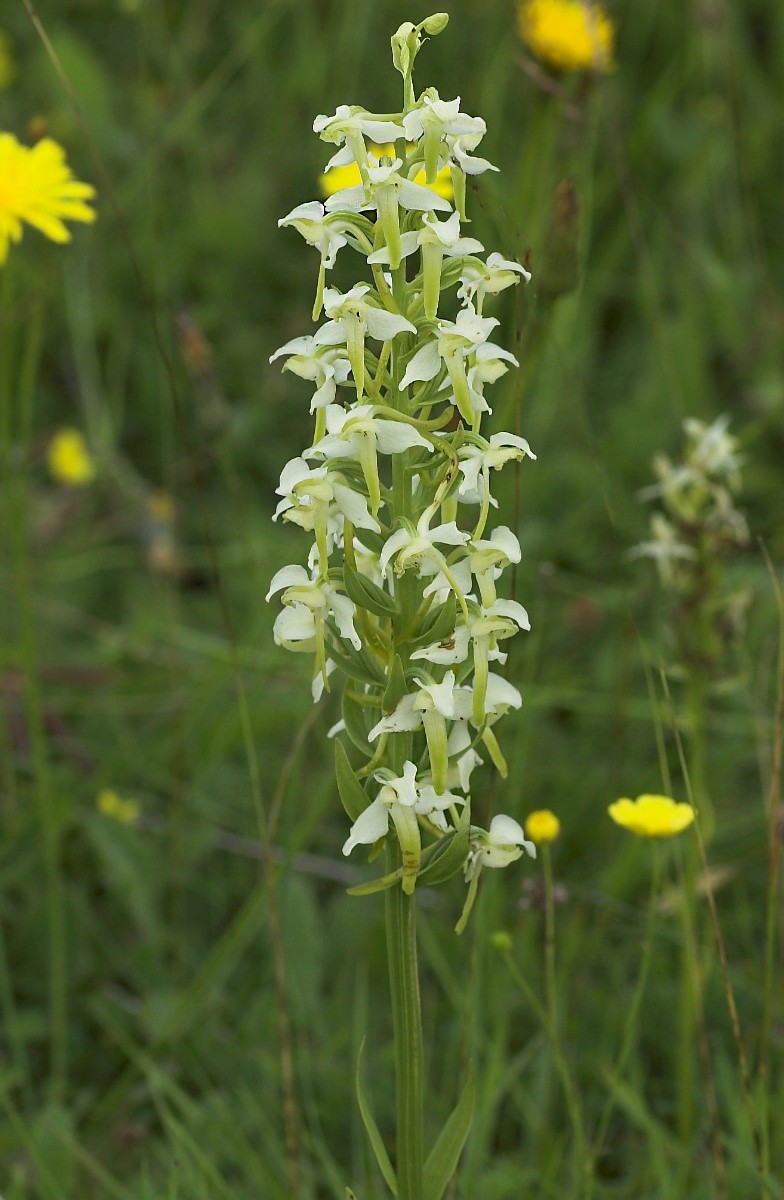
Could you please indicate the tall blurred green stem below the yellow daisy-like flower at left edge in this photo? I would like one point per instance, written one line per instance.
(19, 393)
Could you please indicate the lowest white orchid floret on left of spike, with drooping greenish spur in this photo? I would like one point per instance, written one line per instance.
(400, 802)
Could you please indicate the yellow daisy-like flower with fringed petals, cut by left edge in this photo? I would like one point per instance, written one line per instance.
(37, 185)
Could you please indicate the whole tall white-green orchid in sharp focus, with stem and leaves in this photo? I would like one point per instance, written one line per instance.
(399, 596)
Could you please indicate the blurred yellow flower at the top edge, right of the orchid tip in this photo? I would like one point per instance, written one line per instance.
(568, 35)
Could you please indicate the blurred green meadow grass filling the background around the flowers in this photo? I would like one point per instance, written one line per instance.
(184, 997)
